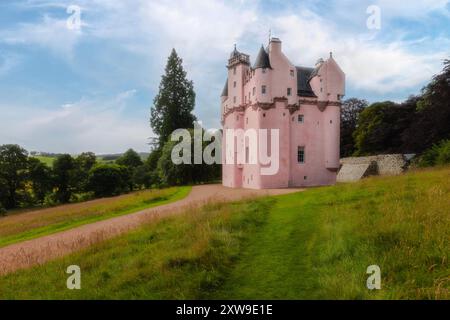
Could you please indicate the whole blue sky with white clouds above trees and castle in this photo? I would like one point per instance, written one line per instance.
(72, 85)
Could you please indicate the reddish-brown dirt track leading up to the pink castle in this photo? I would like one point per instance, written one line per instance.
(40, 250)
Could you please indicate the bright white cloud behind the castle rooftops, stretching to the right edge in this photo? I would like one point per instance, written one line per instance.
(368, 64)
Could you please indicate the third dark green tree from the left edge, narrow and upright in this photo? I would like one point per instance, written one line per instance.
(64, 171)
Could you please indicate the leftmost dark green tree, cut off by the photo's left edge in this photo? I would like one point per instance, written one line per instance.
(13, 165)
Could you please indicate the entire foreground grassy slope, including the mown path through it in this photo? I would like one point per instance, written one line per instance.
(314, 244)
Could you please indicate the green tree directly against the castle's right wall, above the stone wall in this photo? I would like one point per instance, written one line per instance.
(351, 108)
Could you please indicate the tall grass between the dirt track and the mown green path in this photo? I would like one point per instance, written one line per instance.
(182, 257)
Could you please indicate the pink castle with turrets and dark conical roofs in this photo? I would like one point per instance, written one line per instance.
(302, 103)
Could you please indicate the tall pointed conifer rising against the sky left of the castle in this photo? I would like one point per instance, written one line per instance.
(174, 103)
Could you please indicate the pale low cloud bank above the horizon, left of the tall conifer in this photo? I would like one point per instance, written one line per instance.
(89, 124)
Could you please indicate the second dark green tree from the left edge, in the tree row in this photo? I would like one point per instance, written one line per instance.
(40, 176)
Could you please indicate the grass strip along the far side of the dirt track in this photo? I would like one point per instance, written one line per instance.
(28, 225)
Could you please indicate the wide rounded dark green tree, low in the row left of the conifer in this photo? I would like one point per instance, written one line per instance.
(108, 179)
